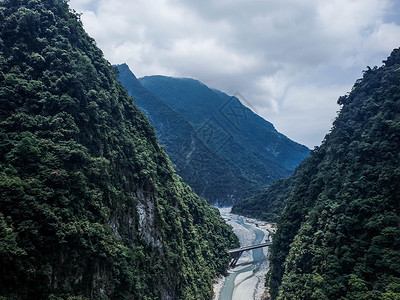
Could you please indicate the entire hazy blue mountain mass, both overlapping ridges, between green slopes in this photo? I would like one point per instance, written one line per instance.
(220, 147)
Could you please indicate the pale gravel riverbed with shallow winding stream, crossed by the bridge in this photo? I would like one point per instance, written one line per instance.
(247, 279)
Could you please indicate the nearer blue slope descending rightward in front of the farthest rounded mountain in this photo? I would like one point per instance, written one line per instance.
(205, 171)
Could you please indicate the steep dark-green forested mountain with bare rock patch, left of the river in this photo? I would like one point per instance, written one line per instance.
(90, 206)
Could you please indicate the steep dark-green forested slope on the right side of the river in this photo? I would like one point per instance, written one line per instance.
(339, 235)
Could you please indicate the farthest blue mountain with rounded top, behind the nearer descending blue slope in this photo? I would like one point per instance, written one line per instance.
(247, 143)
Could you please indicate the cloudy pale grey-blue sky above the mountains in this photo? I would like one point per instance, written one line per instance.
(289, 59)
